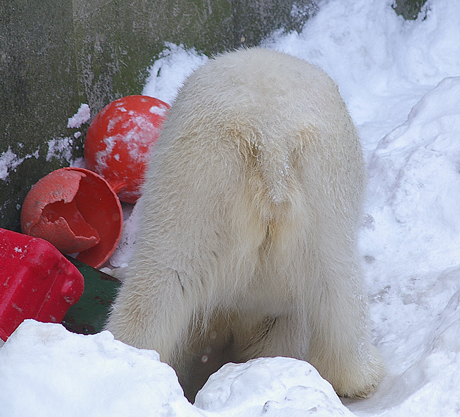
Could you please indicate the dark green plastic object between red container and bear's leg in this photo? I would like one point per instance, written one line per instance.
(89, 315)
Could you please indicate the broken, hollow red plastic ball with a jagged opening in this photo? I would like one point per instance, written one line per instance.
(77, 211)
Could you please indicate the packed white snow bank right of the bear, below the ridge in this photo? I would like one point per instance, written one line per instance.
(411, 246)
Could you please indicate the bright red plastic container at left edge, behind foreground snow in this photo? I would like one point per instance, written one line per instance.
(36, 282)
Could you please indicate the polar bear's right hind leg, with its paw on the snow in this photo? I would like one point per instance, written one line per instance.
(340, 347)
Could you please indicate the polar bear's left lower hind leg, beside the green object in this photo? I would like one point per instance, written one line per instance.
(142, 315)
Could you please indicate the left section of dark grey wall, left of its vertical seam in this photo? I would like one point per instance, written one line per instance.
(38, 91)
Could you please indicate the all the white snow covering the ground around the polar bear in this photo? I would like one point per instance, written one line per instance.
(401, 82)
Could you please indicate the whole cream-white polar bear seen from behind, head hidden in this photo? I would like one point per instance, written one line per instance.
(248, 227)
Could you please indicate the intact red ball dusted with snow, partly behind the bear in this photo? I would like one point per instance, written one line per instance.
(118, 142)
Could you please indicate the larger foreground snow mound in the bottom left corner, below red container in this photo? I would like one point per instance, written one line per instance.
(47, 371)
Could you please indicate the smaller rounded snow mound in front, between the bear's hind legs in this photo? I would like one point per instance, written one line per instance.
(270, 387)
